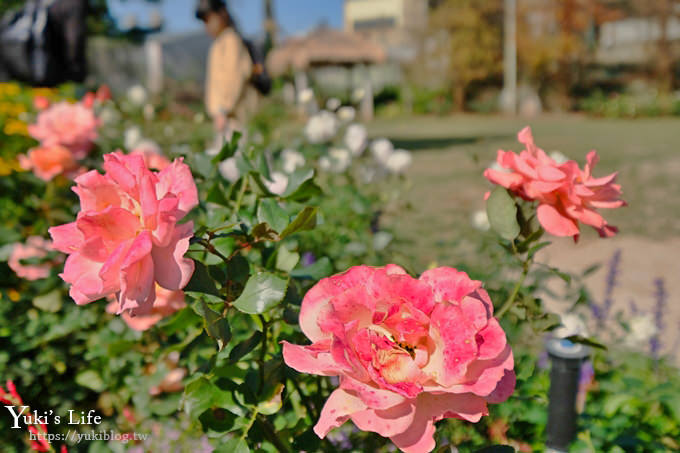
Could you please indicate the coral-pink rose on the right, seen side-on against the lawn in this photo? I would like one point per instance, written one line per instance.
(566, 195)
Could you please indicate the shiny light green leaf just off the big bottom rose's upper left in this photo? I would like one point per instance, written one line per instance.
(262, 292)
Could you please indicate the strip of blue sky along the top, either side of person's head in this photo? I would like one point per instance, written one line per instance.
(293, 16)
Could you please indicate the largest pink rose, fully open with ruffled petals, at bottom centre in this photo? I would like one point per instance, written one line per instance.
(409, 352)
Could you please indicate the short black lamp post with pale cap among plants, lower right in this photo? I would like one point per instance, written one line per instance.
(566, 358)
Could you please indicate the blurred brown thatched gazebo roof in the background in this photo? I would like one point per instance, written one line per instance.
(324, 46)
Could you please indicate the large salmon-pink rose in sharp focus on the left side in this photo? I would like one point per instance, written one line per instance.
(126, 237)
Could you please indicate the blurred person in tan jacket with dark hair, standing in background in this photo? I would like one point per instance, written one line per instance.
(229, 97)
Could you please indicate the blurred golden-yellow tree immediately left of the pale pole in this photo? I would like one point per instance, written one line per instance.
(468, 34)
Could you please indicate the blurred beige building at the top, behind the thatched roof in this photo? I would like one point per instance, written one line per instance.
(398, 25)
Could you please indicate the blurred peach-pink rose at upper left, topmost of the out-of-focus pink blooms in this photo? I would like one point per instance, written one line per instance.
(73, 126)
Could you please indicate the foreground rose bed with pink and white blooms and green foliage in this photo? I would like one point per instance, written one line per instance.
(247, 297)
